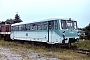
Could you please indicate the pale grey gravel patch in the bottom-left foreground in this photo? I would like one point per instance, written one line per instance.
(16, 54)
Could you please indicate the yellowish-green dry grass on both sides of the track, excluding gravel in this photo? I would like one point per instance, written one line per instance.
(63, 54)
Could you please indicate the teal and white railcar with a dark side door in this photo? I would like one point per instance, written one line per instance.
(52, 31)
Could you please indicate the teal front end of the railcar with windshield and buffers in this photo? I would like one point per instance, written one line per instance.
(69, 31)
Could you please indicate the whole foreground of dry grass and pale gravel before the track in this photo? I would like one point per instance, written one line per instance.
(20, 51)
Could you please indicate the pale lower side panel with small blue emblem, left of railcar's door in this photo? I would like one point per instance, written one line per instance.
(41, 36)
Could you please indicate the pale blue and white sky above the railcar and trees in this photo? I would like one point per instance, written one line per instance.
(31, 10)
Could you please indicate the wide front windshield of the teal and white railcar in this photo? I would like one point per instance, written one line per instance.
(68, 24)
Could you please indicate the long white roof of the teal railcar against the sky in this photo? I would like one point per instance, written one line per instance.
(40, 20)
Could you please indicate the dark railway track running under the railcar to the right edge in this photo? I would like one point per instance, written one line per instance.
(74, 48)
